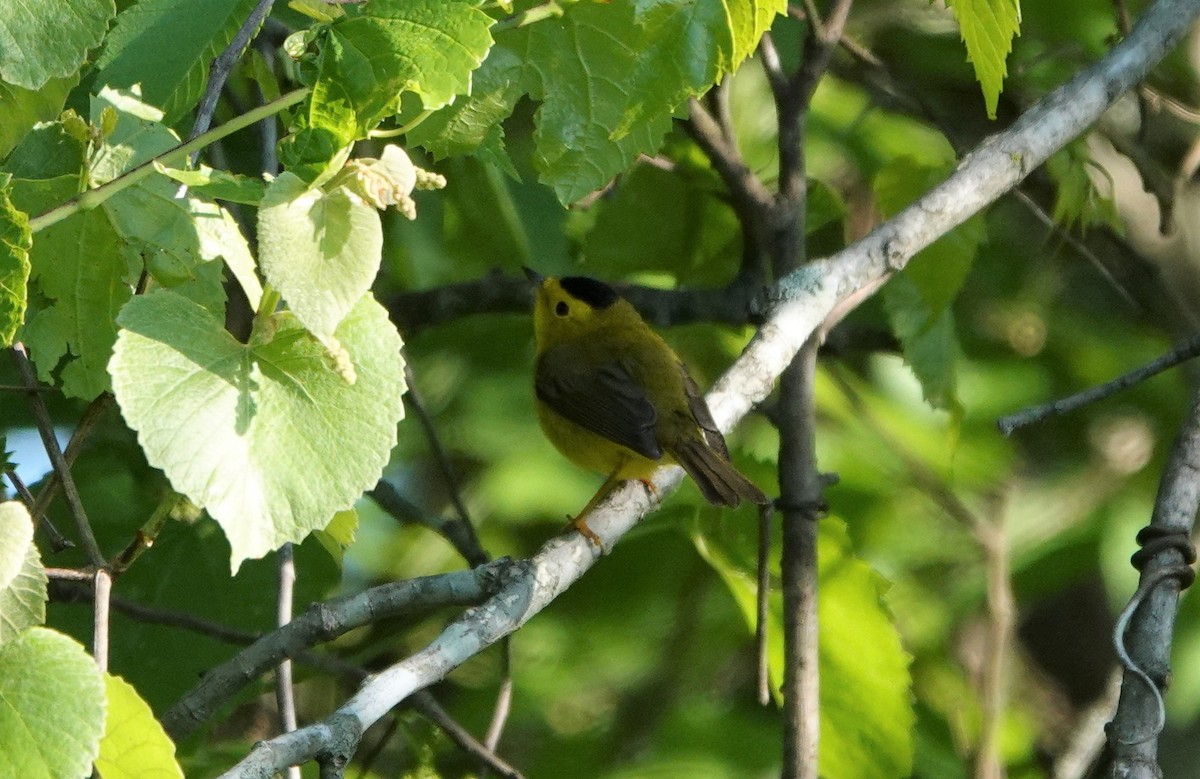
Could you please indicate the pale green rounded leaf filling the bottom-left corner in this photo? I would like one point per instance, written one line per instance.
(53, 714)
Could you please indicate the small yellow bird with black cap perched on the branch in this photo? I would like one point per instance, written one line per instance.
(614, 398)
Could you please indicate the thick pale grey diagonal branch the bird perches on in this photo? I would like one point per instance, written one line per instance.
(803, 301)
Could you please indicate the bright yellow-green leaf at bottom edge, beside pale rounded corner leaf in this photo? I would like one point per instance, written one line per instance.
(135, 746)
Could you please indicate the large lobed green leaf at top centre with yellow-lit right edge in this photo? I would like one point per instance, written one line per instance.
(609, 76)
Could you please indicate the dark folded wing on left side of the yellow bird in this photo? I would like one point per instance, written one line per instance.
(604, 400)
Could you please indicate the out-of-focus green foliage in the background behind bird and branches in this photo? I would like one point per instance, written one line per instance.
(646, 668)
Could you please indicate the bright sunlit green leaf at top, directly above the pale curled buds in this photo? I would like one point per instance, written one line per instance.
(373, 55)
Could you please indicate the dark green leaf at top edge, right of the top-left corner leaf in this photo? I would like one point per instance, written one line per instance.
(167, 46)
